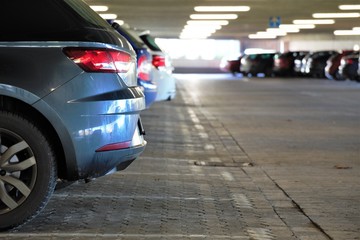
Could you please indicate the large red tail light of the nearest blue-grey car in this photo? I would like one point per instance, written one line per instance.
(100, 60)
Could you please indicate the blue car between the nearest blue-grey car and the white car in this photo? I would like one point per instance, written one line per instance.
(144, 66)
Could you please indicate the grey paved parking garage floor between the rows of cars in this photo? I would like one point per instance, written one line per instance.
(229, 158)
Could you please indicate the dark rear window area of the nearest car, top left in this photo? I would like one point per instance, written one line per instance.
(47, 20)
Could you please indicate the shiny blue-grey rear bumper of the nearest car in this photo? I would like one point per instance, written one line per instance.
(106, 114)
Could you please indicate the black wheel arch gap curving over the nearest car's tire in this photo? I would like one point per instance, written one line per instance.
(15, 105)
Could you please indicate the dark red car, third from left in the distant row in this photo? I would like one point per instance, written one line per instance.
(284, 63)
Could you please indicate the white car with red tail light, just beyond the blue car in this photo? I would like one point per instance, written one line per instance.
(162, 67)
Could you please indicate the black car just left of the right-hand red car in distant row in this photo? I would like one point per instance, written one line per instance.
(316, 63)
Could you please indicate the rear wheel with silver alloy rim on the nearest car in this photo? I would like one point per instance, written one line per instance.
(27, 170)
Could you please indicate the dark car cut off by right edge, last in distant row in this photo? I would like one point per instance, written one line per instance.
(349, 65)
